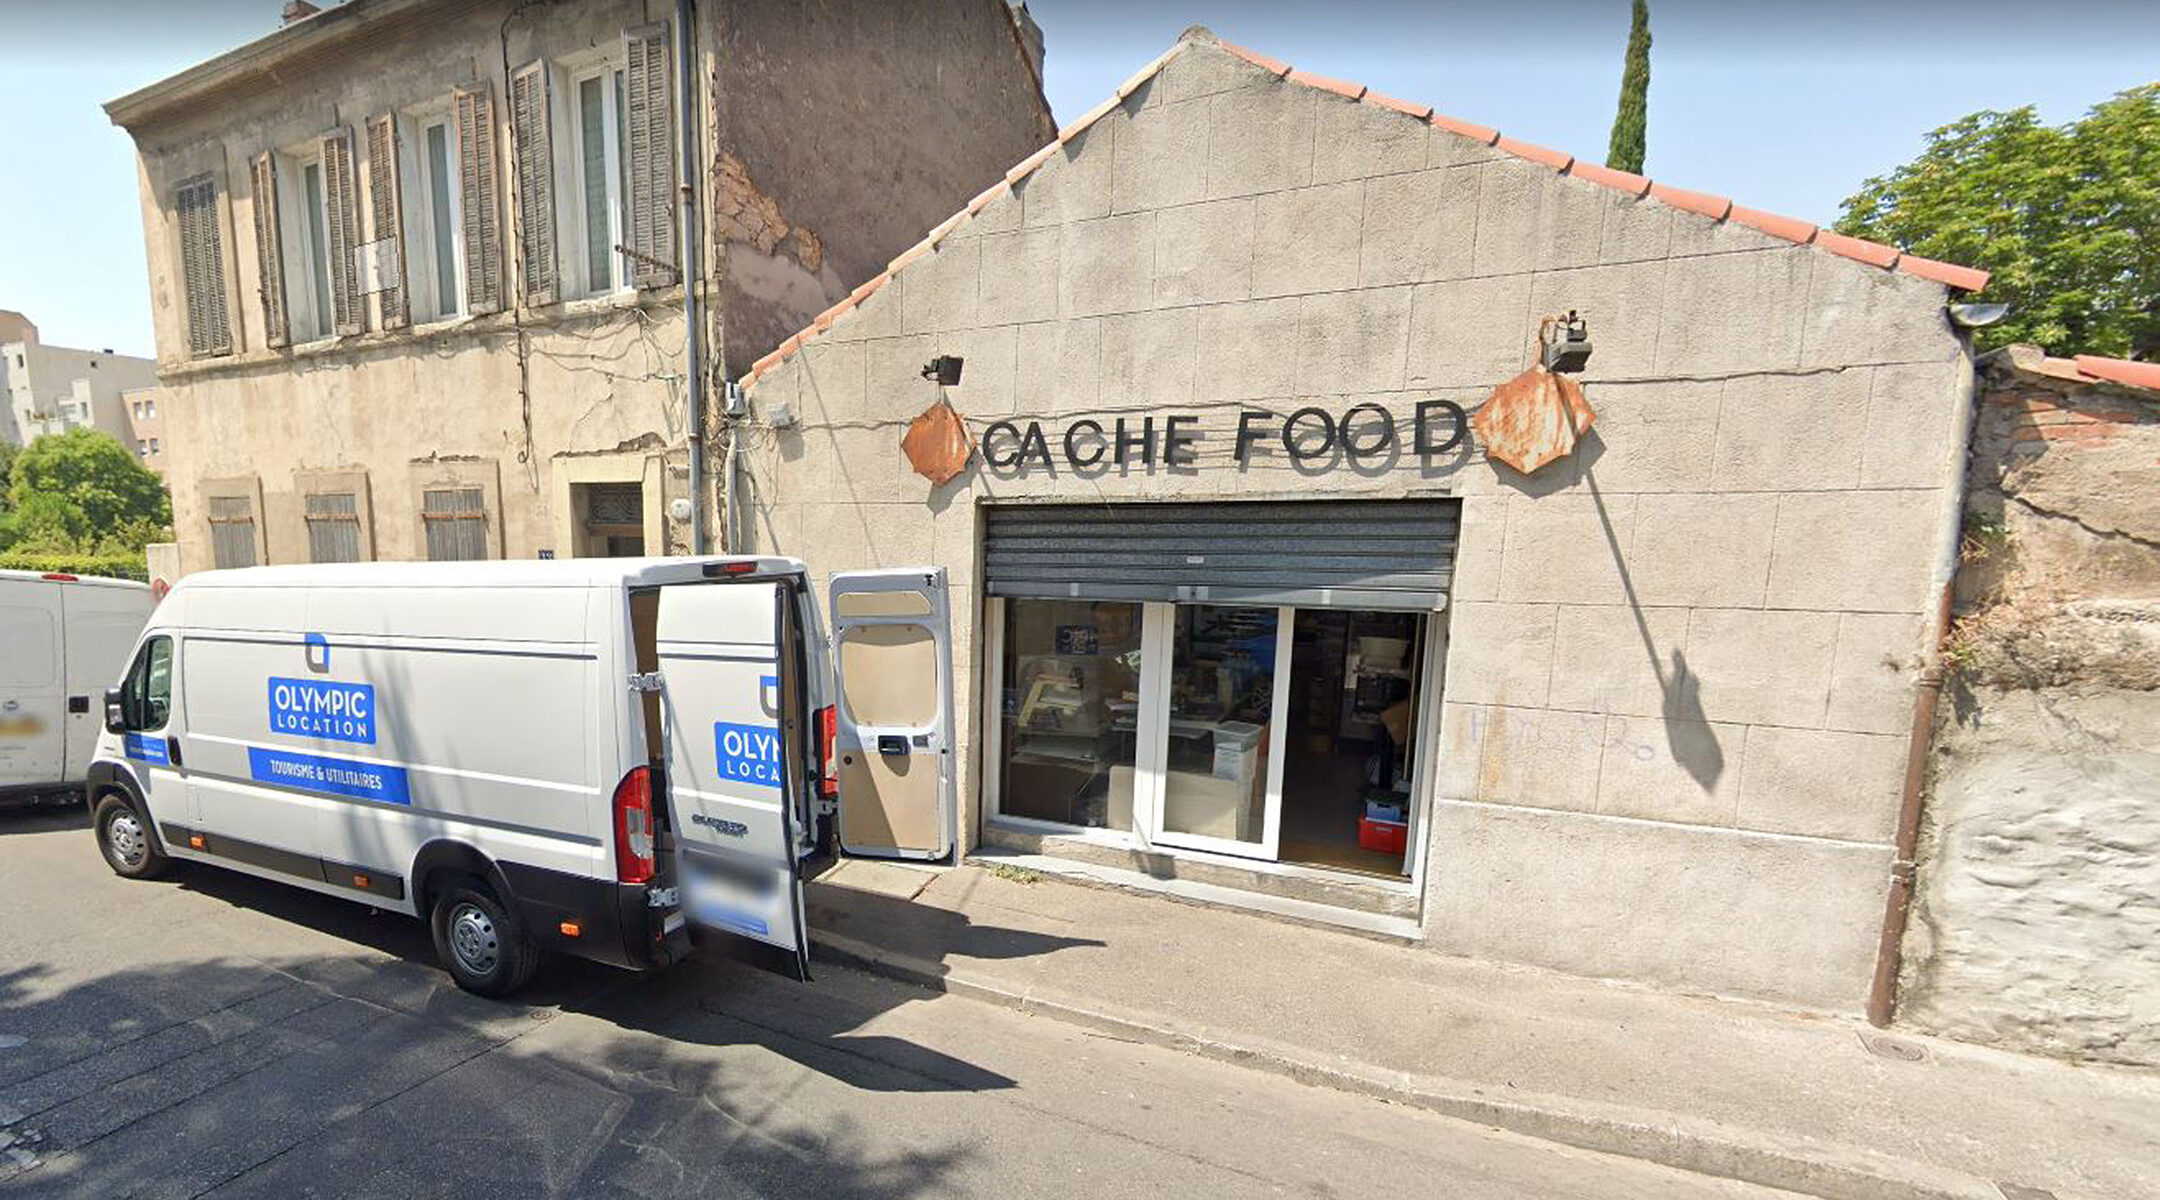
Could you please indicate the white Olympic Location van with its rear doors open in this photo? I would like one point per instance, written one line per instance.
(584, 756)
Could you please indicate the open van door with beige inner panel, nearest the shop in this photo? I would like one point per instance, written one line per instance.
(893, 724)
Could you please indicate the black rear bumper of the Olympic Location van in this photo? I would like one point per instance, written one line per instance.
(617, 923)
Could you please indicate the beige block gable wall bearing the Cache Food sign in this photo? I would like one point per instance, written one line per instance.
(1682, 662)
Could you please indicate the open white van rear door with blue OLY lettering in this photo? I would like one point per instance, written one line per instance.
(733, 709)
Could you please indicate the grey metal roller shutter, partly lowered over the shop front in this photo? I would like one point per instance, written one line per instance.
(1317, 554)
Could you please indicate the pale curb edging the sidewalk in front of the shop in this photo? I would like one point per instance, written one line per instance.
(1701, 1147)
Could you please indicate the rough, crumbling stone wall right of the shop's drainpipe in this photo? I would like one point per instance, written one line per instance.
(2038, 914)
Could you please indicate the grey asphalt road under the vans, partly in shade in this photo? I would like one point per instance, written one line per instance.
(213, 1035)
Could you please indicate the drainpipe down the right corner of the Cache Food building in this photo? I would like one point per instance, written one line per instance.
(1898, 908)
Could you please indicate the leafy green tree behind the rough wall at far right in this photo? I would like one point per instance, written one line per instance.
(2066, 219)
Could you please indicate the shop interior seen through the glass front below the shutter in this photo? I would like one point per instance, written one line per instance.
(1070, 726)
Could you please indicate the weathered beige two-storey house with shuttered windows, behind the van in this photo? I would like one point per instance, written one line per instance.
(556, 400)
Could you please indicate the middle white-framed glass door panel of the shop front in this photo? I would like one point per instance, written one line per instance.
(1217, 748)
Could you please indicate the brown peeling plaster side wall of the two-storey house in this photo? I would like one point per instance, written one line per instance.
(846, 133)
